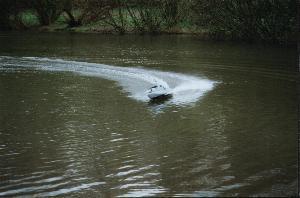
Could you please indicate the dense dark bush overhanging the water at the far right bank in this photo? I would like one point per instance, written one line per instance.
(271, 20)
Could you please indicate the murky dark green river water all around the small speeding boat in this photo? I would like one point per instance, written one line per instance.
(74, 119)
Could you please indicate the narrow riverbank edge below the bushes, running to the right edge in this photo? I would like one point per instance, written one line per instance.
(101, 27)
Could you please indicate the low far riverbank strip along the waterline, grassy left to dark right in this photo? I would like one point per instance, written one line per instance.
(28, 21)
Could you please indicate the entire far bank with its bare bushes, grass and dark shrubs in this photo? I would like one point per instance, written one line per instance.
(265, 20)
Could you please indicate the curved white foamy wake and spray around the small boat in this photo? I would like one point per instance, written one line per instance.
(186, 89)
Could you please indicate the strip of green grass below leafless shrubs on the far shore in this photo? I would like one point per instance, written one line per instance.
(30, 22)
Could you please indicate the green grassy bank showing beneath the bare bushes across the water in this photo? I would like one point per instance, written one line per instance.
(30, 21)
